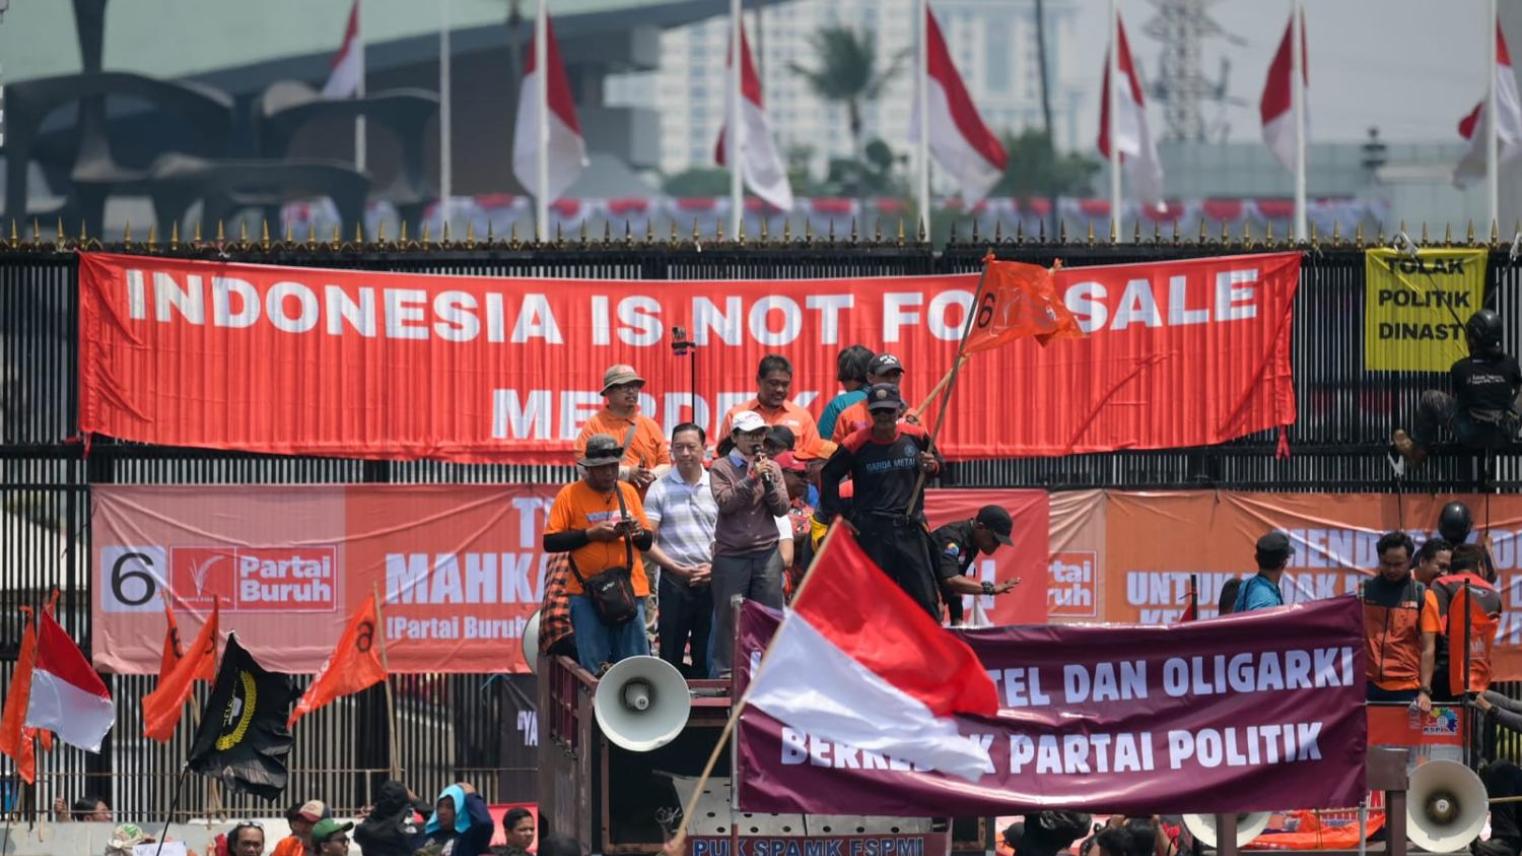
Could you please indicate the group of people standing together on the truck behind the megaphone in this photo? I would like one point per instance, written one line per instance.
(661, 532)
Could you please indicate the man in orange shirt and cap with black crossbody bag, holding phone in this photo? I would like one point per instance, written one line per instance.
(602, 523)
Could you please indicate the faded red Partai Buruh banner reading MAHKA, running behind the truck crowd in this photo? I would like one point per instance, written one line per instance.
(459, 566)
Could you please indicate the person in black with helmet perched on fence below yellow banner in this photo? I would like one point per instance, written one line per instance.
(1483, 407)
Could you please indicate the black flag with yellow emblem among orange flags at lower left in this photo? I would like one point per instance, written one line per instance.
(244, 738)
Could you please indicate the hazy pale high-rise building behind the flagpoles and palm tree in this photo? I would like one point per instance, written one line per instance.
(993, 43)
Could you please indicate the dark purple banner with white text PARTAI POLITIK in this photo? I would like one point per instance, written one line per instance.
(1256, 712)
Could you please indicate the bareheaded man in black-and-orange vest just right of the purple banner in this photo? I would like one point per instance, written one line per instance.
(1401, 627)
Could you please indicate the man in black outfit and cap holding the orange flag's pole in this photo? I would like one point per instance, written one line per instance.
(884, 464)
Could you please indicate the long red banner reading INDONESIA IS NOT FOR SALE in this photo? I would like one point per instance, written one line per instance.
(476, 369)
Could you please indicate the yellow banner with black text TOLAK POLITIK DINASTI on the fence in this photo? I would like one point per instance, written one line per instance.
(1415, 310)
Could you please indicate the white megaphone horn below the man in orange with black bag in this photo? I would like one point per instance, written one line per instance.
(642, 703)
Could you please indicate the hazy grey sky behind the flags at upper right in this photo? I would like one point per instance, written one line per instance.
(1410, 68)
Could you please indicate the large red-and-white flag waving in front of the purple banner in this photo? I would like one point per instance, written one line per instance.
(874, 672)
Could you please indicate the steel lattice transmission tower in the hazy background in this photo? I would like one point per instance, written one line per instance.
(1180, 85)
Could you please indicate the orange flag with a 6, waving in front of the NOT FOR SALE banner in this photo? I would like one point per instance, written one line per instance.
(1019, 302)
